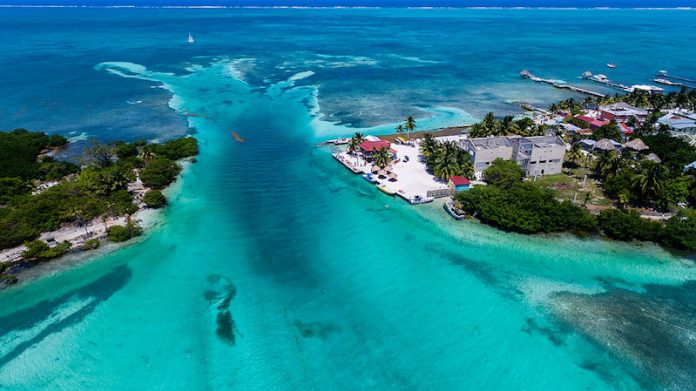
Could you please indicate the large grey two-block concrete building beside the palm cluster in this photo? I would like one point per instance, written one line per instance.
(539, 155)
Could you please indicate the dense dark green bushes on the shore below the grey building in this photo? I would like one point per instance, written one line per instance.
(513, 205)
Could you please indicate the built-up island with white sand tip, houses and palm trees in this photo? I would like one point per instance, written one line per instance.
(621, 166)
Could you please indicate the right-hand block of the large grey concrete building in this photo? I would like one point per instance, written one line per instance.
(539, 155)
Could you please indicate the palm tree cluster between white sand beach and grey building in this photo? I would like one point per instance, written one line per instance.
(445, 159)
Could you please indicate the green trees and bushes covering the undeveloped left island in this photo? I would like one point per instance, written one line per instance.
(97, 189)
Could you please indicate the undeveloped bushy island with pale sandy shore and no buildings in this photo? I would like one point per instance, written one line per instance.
(50, 206)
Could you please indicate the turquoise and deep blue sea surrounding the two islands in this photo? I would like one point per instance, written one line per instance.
(276, 268)
